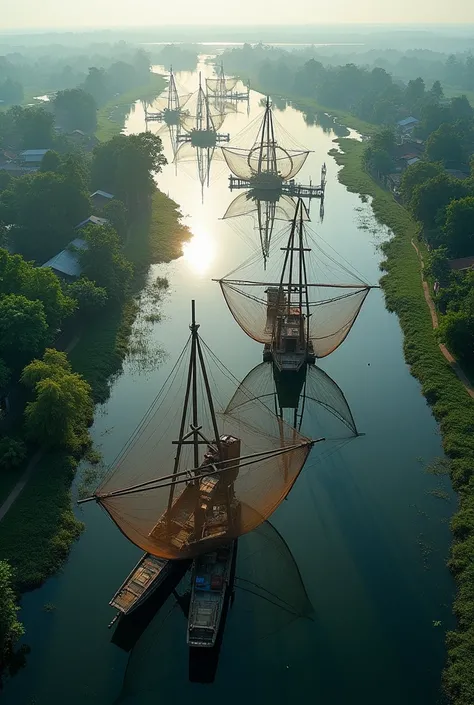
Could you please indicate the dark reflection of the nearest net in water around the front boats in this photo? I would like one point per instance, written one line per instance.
(270, 597)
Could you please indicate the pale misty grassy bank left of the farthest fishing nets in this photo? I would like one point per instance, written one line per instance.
(111, 116)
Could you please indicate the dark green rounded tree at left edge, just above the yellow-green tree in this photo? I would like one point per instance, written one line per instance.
(23, 328)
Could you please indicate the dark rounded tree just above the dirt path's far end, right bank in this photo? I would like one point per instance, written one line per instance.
(432, 196)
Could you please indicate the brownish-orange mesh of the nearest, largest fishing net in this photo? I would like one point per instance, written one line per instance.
(172, 524)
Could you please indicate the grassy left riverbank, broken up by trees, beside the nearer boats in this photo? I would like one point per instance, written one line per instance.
(40, 527)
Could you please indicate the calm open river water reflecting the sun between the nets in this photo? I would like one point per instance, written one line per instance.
(369, 537)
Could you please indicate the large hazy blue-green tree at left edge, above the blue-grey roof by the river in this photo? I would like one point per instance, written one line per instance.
(45, 208)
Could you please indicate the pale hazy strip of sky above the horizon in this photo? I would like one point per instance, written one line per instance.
(59, 14)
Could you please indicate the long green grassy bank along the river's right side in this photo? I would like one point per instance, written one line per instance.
(451, 405)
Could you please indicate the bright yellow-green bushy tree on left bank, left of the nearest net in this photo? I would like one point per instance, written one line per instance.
(62, 408)
